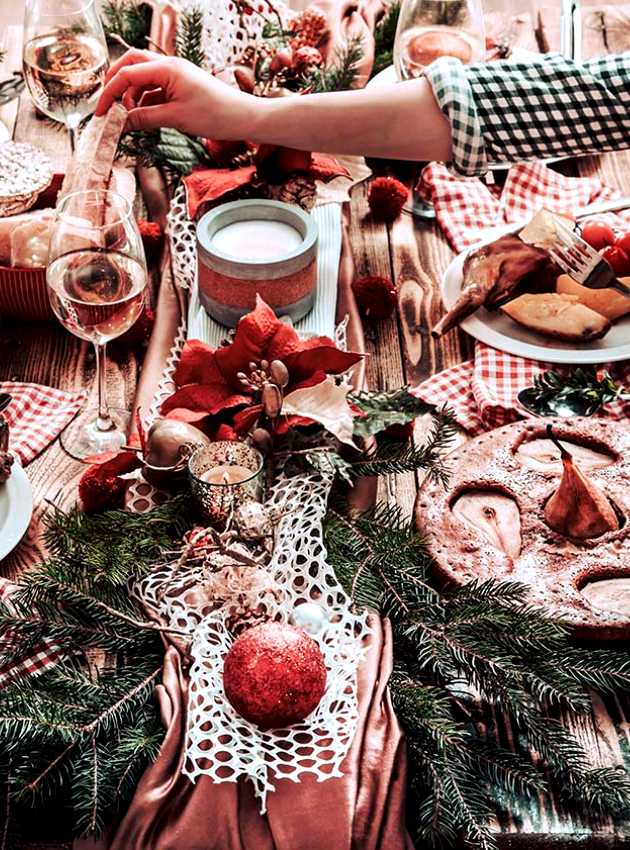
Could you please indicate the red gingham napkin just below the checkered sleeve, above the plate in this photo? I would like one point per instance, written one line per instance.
(466, 207)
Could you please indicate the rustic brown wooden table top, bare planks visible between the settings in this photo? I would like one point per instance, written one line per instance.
(413, 253)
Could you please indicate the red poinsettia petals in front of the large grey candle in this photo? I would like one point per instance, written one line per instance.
(209, 393)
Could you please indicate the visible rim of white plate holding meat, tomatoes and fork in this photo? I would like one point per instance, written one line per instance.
(496, 329)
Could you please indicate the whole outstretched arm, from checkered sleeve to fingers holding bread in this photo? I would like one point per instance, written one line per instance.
(467, 115)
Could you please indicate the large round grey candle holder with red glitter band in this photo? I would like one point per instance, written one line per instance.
(256, 246)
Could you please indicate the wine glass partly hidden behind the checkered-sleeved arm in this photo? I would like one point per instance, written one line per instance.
(428, 29)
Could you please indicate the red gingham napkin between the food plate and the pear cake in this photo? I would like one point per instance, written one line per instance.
(481, 393)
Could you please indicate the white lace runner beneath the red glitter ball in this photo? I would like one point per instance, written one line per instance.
(221, 744)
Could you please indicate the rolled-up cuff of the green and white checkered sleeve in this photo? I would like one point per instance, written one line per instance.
(452, 90)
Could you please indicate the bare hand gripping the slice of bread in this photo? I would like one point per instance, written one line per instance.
(161, 91)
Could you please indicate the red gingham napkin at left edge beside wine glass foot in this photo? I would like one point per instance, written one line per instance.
(37, 415)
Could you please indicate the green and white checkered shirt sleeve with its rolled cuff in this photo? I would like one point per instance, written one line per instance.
(547, 106)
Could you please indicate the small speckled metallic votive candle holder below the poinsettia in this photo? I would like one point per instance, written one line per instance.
(223, 476)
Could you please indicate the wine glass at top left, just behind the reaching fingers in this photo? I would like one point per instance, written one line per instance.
(64, 59)
